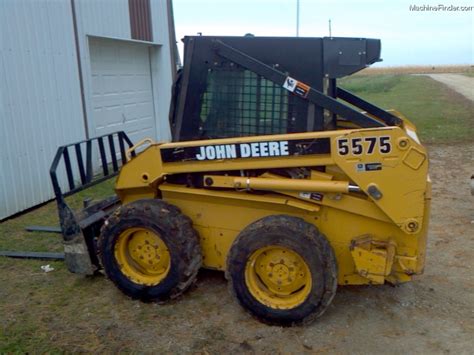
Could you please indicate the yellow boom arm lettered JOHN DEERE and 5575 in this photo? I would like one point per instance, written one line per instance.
(385, 163)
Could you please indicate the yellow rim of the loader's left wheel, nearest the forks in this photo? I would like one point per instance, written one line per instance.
(142, 256)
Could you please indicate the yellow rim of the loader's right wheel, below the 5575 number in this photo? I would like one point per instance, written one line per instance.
(278, 277)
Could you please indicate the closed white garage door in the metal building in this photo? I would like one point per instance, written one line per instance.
(122, 97)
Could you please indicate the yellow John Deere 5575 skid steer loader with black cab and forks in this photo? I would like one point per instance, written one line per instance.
(288, 183)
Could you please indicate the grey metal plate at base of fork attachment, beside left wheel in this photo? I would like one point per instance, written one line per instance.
(76, 256)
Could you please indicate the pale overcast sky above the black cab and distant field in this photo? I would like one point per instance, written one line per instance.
(408, 37)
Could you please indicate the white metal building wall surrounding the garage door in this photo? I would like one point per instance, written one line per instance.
(40, 97)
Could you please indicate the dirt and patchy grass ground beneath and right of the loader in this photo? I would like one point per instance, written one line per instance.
(434, 314)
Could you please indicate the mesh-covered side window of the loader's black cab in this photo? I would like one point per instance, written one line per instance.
(238, 102)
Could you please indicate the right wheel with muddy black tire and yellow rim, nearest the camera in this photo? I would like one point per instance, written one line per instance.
(282, 271)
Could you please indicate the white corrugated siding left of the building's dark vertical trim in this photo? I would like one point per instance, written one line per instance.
(41, 107)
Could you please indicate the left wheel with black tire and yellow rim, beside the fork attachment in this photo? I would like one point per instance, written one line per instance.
(149, 250)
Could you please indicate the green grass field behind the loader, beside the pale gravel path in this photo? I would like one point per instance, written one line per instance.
(441, 115)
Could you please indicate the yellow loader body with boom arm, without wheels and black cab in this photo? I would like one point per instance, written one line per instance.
(367, 191)
